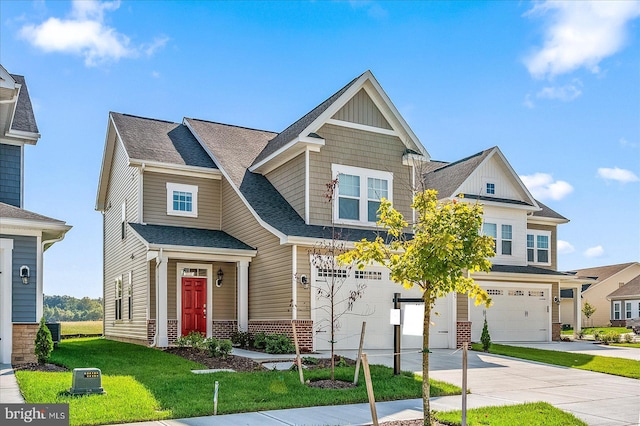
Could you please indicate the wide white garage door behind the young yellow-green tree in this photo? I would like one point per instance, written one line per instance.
(368, 296)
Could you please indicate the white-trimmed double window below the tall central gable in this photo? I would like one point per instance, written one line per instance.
(358, 194)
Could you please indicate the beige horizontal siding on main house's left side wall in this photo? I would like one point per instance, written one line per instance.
(122, 256)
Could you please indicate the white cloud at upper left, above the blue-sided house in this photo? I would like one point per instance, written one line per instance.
(85, 34)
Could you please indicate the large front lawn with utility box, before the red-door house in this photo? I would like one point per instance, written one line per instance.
(148, 384)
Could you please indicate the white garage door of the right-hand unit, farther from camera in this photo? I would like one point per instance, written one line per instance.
(518, 314)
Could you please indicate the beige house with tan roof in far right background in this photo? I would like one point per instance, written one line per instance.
(597, 284)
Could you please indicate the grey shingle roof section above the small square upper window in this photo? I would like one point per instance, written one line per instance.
(162, 141)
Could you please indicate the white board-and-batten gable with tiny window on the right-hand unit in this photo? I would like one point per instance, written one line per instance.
(494, 171)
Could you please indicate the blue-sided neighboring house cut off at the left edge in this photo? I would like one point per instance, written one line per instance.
(24, 235)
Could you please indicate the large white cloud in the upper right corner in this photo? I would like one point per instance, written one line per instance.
(579, 34)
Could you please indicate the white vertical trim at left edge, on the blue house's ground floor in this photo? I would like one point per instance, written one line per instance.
(6, 323)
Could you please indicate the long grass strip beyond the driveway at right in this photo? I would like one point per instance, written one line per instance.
(601, 364)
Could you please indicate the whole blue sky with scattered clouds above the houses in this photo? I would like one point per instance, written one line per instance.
(555, 85)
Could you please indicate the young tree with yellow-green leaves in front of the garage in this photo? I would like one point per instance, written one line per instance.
(445, 248)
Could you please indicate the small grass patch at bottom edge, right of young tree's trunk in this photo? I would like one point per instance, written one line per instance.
(530, 414)
